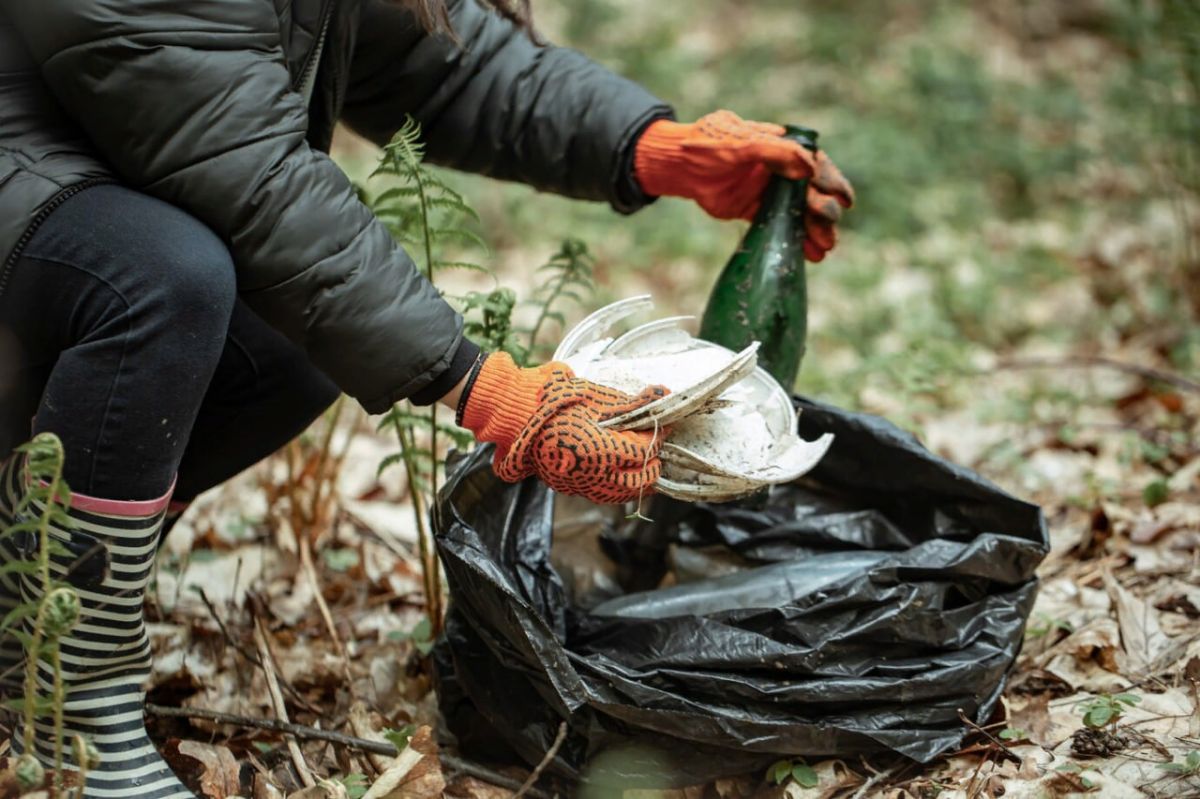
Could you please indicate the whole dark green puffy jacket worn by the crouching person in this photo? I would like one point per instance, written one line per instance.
(197, 103)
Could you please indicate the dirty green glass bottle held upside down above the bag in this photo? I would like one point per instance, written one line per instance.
(763, 293)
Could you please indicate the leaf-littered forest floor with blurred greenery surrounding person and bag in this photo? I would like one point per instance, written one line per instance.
(1018, 286)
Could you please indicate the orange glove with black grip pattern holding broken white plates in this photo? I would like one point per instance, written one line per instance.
(545, 422)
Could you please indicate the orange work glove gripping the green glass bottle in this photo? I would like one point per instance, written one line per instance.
(724, 163)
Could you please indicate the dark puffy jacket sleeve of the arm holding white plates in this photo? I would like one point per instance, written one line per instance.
(190, 101)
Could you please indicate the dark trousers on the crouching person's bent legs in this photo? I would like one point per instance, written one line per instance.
(122, 332)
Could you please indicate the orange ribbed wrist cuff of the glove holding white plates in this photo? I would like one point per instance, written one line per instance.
(503, 400)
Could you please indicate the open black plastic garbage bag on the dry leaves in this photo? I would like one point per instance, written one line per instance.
(854, 612)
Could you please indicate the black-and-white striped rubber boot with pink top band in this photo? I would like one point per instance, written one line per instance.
(106, 656)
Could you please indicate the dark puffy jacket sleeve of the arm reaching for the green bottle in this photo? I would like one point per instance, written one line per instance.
(499, 105)
